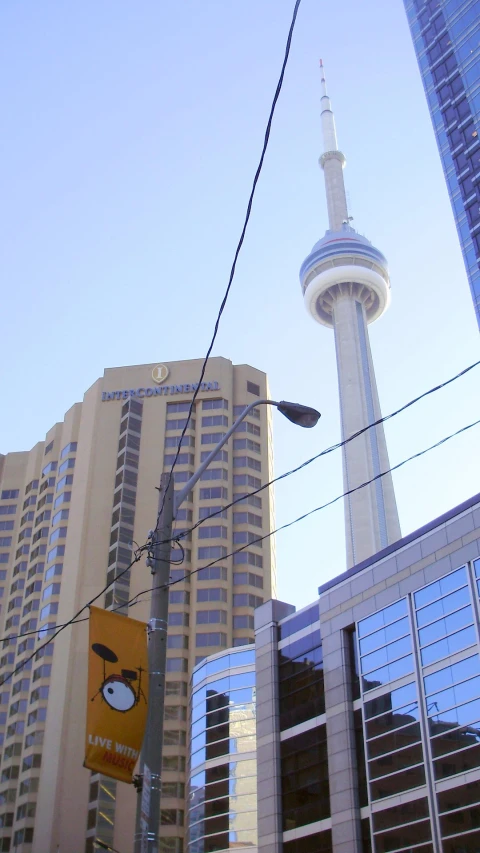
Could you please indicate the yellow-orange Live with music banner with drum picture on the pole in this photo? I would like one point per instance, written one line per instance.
(117, 693)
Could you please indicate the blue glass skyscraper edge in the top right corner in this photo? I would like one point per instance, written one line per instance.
(446, 37)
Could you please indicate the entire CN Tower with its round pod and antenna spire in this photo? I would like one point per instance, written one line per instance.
(345, 287)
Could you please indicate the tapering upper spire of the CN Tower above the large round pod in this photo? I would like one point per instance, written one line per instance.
(332, 162)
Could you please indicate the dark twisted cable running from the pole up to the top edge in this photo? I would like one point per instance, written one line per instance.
(239, 244)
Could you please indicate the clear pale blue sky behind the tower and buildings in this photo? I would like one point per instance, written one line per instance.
(131, 132)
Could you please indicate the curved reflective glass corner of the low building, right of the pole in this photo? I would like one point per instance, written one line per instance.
(222, 811)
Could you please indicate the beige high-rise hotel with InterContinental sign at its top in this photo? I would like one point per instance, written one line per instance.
(71, 511)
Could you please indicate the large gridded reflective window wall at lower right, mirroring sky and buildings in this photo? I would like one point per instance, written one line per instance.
(420, 679)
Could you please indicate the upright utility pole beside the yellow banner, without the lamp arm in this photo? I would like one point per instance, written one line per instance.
(148, 805)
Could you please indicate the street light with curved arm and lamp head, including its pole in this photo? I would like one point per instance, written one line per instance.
(148, 805)
